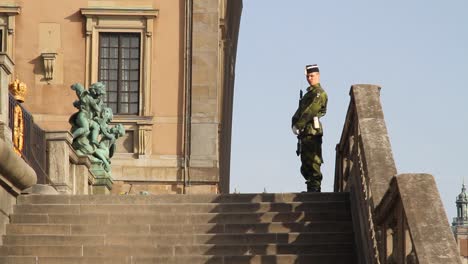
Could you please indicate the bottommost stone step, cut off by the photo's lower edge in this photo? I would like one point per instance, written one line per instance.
(254, 259)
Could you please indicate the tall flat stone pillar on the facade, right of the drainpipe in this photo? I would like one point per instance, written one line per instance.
(204, 157)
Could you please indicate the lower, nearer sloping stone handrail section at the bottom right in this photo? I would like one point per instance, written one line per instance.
(412, 220)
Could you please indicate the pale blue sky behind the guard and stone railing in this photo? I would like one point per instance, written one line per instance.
(416, 50)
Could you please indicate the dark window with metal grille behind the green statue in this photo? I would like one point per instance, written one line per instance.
(119, 70)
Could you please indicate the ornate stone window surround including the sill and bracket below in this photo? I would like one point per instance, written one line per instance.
(125, 20)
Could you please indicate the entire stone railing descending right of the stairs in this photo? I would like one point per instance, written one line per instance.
(397, 219)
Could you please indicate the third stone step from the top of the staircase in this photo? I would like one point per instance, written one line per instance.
(196, 218)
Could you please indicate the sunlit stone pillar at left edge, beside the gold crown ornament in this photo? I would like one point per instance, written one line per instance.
(6, 68)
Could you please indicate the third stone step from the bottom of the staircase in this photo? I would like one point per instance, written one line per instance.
(179, 239)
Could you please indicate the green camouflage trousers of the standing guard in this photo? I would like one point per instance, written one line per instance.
(311, 158)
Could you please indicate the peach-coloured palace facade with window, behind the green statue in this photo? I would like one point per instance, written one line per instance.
(168, 67)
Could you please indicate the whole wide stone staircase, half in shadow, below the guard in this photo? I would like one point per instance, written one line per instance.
(313, 228)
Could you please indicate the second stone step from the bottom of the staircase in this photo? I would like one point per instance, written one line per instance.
(174, 250)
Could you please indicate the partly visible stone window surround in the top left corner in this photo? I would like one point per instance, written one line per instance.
(7, 25)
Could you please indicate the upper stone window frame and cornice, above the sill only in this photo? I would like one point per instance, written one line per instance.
(122, 21)
